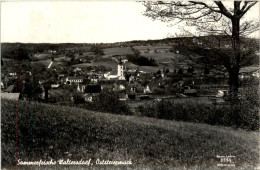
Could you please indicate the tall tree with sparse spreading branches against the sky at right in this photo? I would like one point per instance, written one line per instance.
(213, 18)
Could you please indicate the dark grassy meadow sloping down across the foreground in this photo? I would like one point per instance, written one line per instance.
(50, 132)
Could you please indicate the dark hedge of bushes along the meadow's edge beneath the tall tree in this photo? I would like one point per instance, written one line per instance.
(240, 116)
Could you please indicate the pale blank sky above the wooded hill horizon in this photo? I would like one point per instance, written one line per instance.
(81, 22)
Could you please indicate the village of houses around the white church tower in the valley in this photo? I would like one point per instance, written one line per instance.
(66, 82)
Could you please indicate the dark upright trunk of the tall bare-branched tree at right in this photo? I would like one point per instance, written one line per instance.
(234, 61)
